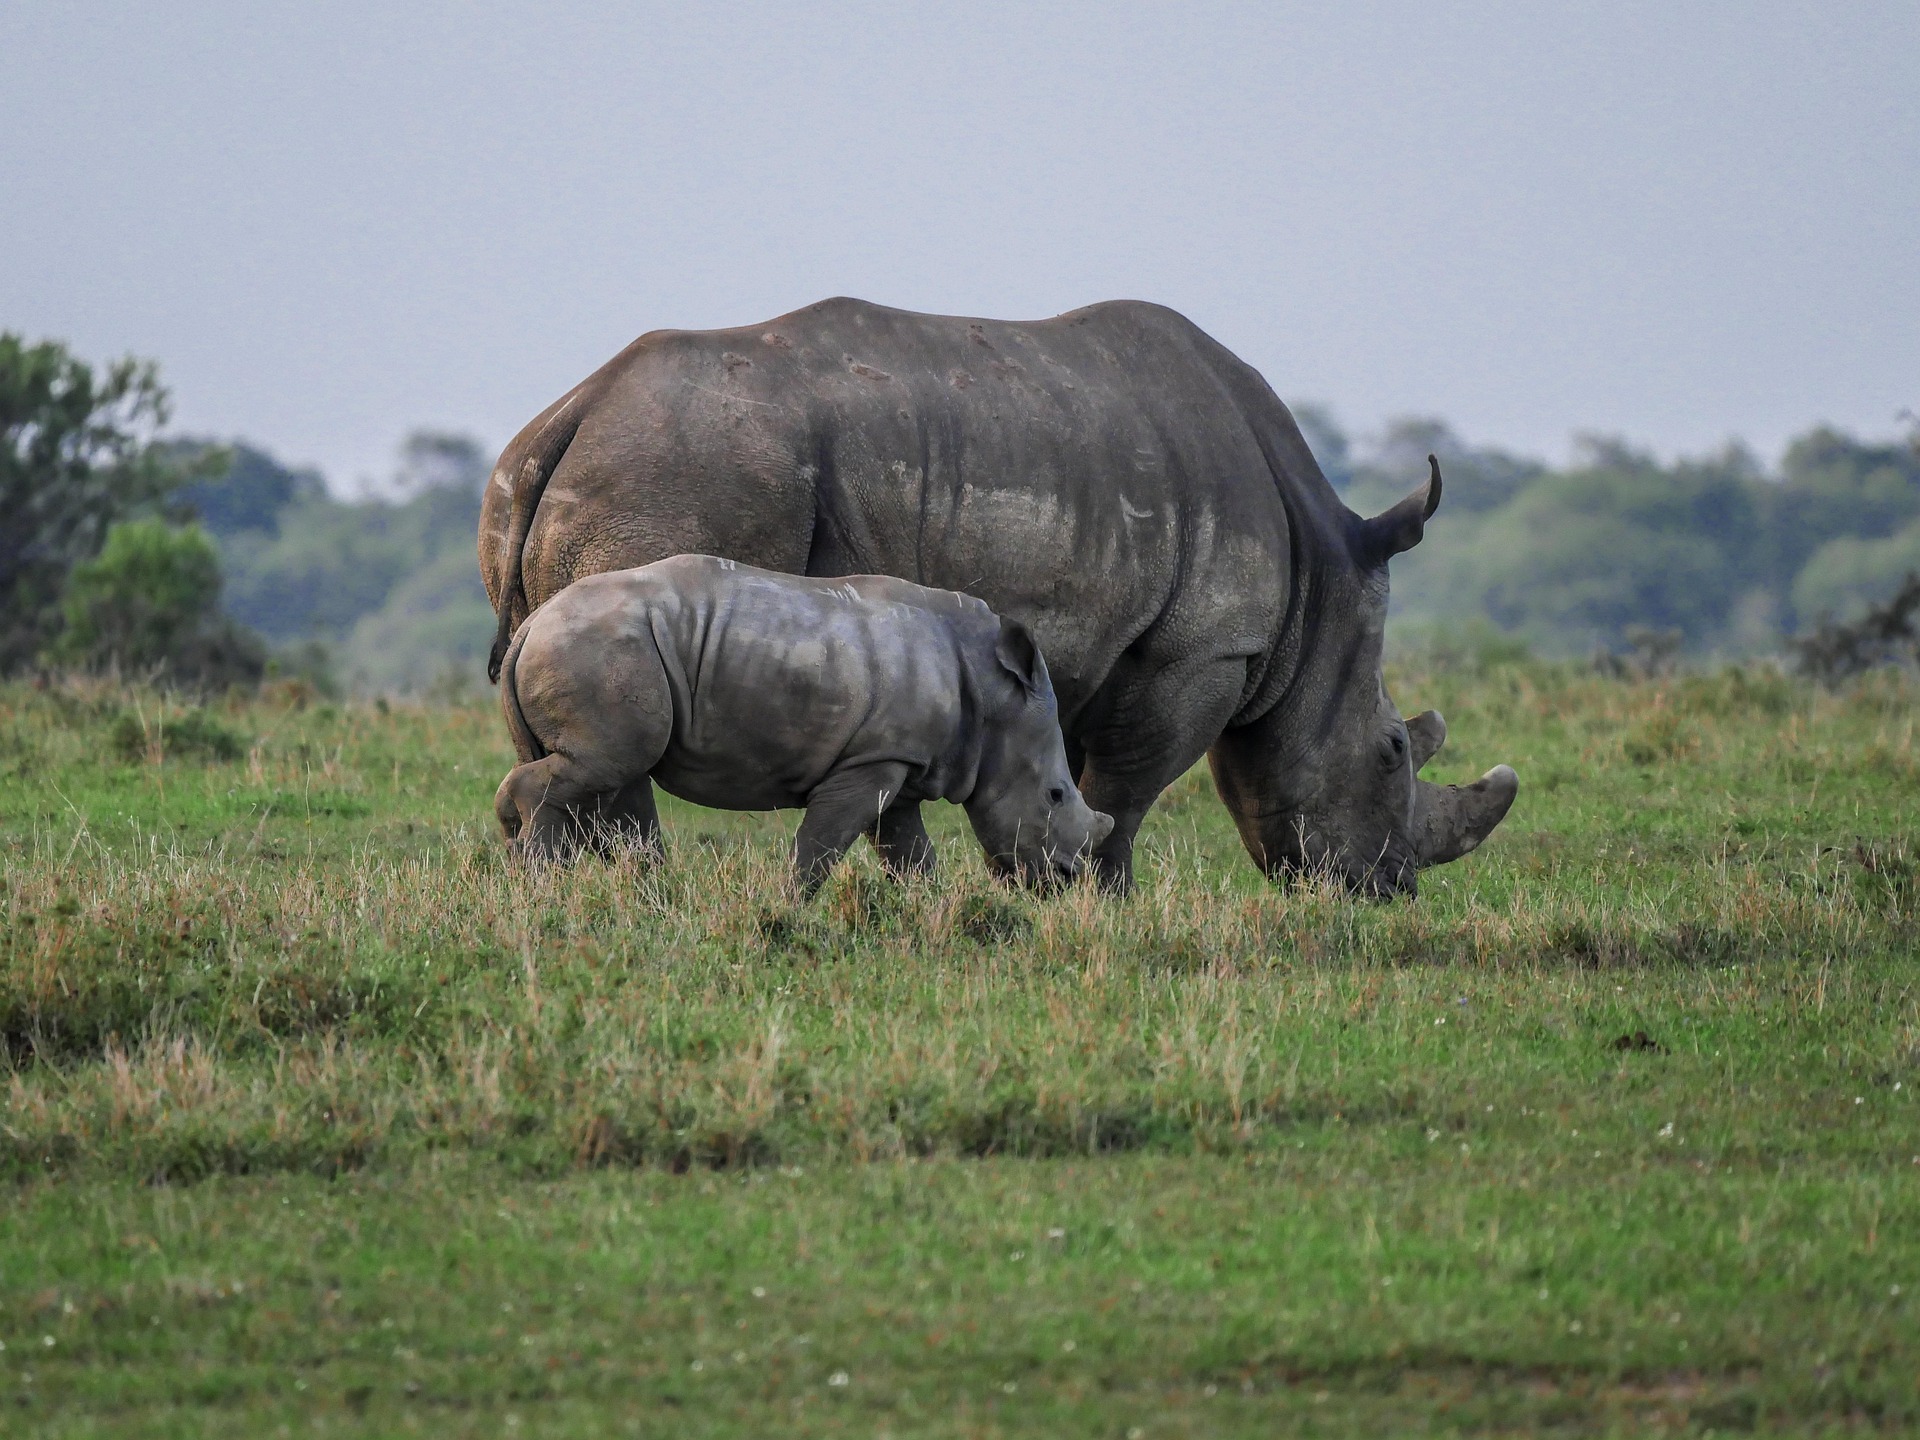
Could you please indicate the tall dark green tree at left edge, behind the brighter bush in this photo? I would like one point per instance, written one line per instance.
(78, 454)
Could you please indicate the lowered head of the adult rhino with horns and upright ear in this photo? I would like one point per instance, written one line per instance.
(1328, 782)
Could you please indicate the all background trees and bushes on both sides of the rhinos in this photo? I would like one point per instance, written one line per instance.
(216, 562)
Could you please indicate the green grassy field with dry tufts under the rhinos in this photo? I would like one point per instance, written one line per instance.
(320, 1116)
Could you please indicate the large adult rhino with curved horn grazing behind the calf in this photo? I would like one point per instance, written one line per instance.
(1113, 477)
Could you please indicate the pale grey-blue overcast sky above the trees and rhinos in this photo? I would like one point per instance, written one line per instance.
(339, 222)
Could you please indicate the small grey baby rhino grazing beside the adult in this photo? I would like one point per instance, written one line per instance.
(748, 690)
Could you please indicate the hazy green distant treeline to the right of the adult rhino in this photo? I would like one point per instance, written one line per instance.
(1731, 554)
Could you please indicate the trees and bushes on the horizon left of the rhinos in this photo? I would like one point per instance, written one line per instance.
(216, 564)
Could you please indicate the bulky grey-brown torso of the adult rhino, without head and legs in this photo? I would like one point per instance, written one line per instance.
(1113, 477)
